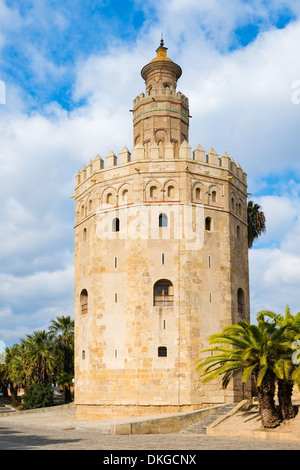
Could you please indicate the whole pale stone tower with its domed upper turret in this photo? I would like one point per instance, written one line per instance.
(161, 261)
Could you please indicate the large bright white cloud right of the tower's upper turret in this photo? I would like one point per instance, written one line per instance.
(241, 103)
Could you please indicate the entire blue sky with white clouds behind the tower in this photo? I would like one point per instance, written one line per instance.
(71, 71)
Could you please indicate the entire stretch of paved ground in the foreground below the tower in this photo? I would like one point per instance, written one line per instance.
(58, 430)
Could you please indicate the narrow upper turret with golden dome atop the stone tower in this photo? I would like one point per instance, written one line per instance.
(161, 115)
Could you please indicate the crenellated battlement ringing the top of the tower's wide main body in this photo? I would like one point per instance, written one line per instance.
(143, 154)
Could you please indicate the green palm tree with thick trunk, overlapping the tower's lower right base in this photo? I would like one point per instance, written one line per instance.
(248, 350)
